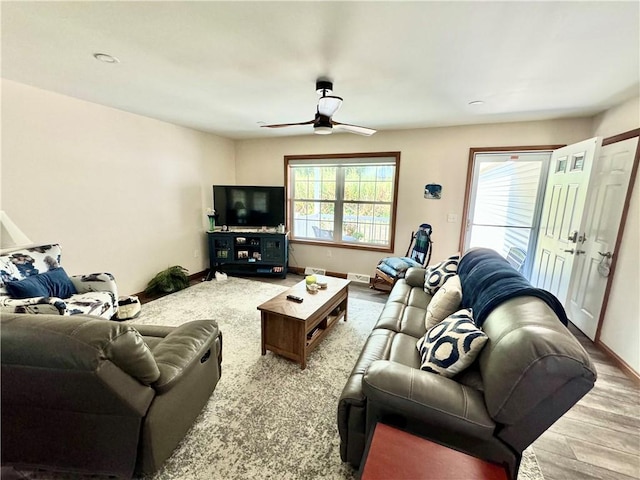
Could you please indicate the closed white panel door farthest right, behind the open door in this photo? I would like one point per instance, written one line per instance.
(607, 193)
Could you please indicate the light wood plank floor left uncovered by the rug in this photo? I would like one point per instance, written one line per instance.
(599, 438)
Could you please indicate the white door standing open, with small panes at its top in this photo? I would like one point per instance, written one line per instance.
(562, 216)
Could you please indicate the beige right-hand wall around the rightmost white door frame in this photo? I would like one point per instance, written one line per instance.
(621, 324)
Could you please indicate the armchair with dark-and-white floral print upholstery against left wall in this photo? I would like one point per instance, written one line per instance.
(94, 294)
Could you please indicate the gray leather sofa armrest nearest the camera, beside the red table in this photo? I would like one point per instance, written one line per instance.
(427, 397)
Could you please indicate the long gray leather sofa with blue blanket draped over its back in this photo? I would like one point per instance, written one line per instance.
(529, 373)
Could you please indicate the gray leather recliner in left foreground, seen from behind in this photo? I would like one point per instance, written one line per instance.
(86, 395)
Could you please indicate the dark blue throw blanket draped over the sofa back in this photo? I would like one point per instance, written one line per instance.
(487, 280)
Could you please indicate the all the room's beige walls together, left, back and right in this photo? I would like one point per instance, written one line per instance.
(127, 194)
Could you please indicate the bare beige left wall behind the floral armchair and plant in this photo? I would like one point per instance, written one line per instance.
(120, 192)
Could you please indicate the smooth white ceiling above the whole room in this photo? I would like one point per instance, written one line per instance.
(222, 67)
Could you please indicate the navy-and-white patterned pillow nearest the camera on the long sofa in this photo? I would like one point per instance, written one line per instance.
(452, 345)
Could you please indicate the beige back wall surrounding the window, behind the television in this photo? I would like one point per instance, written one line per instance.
(433, 155)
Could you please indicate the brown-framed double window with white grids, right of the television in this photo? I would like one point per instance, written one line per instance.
(343, 199)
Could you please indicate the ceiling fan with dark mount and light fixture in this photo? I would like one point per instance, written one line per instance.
(328, 104)
